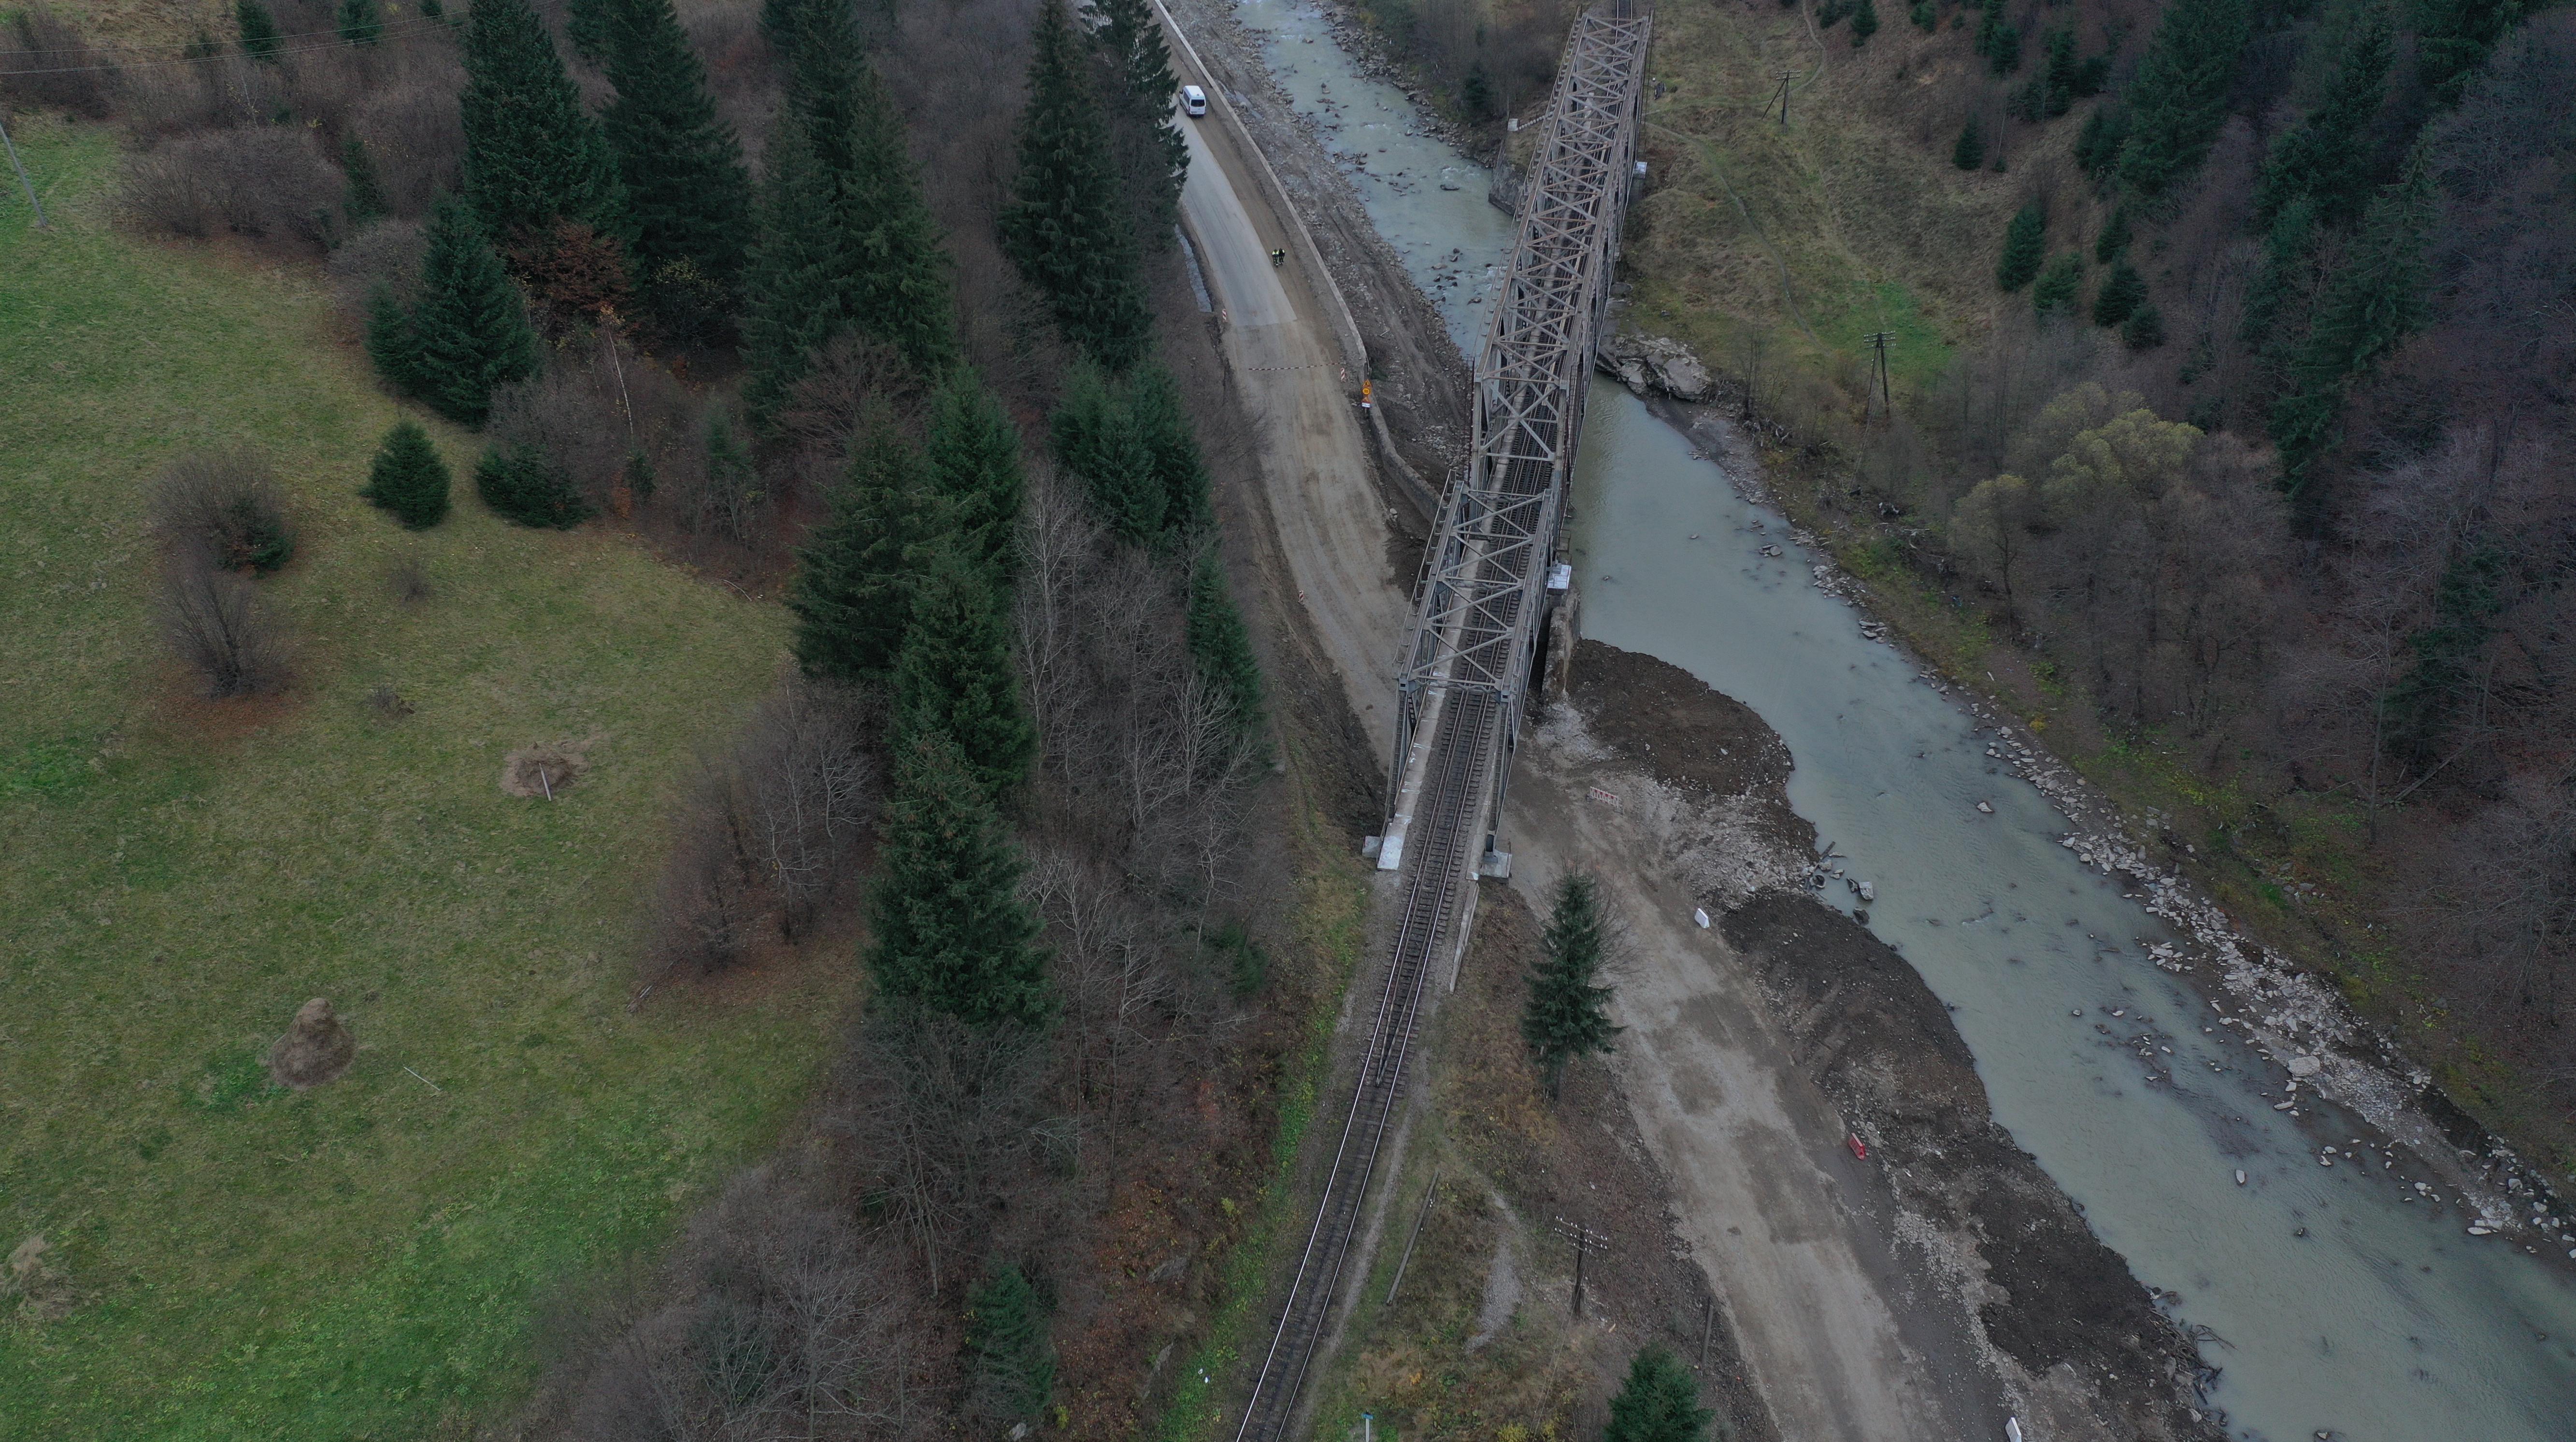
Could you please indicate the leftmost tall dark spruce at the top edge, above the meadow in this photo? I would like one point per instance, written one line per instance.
(535, 156)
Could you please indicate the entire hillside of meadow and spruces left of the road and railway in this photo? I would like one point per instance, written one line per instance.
(741, 308)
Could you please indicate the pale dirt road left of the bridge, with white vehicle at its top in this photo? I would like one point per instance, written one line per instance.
(1323, 491)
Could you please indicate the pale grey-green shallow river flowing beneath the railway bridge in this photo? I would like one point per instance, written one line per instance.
(2335, 1297)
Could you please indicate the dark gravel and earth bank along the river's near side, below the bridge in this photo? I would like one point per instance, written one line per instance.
(1967, 1214)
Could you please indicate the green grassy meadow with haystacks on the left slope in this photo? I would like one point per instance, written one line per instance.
(179, 877)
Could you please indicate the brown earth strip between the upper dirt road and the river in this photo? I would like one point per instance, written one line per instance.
(1421, 377)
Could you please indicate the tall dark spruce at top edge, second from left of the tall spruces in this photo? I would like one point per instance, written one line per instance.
(689, 197)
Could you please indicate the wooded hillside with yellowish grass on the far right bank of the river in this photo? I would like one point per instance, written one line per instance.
(2224, 418)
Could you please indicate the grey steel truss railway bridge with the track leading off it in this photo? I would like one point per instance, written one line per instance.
(1480, 609)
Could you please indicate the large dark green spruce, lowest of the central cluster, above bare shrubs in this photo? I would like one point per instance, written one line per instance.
(952, 931)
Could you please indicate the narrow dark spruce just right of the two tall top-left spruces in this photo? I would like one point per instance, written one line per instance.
(792, 292)
